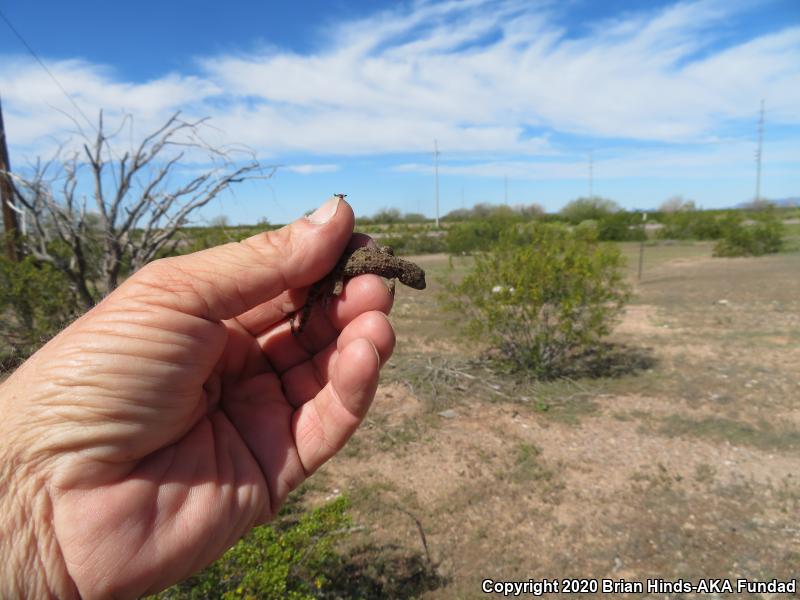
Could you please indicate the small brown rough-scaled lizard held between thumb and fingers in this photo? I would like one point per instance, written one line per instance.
(378, 261)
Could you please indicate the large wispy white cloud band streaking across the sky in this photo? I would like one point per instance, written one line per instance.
(478, 76)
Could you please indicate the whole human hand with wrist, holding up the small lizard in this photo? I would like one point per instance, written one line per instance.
(152, 433)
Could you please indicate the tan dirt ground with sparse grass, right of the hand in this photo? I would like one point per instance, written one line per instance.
(683, 464)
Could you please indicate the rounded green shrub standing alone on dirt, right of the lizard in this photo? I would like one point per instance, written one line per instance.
(541, 296)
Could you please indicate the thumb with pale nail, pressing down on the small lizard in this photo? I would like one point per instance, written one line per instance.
(223, 282)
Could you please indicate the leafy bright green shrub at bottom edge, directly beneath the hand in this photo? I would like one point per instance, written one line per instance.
(287, 559)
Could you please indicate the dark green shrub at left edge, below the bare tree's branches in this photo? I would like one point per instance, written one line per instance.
(36, 301)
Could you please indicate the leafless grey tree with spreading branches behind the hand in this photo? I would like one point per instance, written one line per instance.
(135, 206)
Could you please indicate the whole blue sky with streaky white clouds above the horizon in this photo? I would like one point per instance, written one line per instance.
(349, 96)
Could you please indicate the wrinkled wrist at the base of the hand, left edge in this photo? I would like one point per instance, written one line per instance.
(31, 563)
